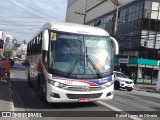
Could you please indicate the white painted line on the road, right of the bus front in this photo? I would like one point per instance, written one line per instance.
(117, 110)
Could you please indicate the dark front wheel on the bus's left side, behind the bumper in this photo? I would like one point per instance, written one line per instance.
(41, 87)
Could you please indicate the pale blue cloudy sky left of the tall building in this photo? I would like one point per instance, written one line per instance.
(23, 18)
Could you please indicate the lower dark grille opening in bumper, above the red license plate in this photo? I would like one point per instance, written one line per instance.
(77, 96)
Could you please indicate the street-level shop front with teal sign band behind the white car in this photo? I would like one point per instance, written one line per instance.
(144, 71)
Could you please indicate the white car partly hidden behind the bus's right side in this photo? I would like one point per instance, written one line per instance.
(122, 81)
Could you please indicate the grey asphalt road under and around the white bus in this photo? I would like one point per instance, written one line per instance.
(124, 103)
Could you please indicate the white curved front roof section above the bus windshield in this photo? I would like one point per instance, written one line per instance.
(76, 28)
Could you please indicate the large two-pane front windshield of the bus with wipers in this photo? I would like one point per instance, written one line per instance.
(80, 54)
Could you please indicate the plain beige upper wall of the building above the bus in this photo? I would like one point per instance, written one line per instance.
(80, 6)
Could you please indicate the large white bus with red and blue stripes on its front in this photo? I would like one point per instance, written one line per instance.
(72, 63)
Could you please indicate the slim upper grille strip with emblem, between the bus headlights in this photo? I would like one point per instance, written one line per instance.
(81, 88)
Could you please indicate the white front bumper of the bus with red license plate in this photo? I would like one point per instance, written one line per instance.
(55, 94)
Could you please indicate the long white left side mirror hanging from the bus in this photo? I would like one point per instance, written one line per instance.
(45, 40)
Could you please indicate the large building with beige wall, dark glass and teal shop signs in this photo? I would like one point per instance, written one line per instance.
(138, 31)
